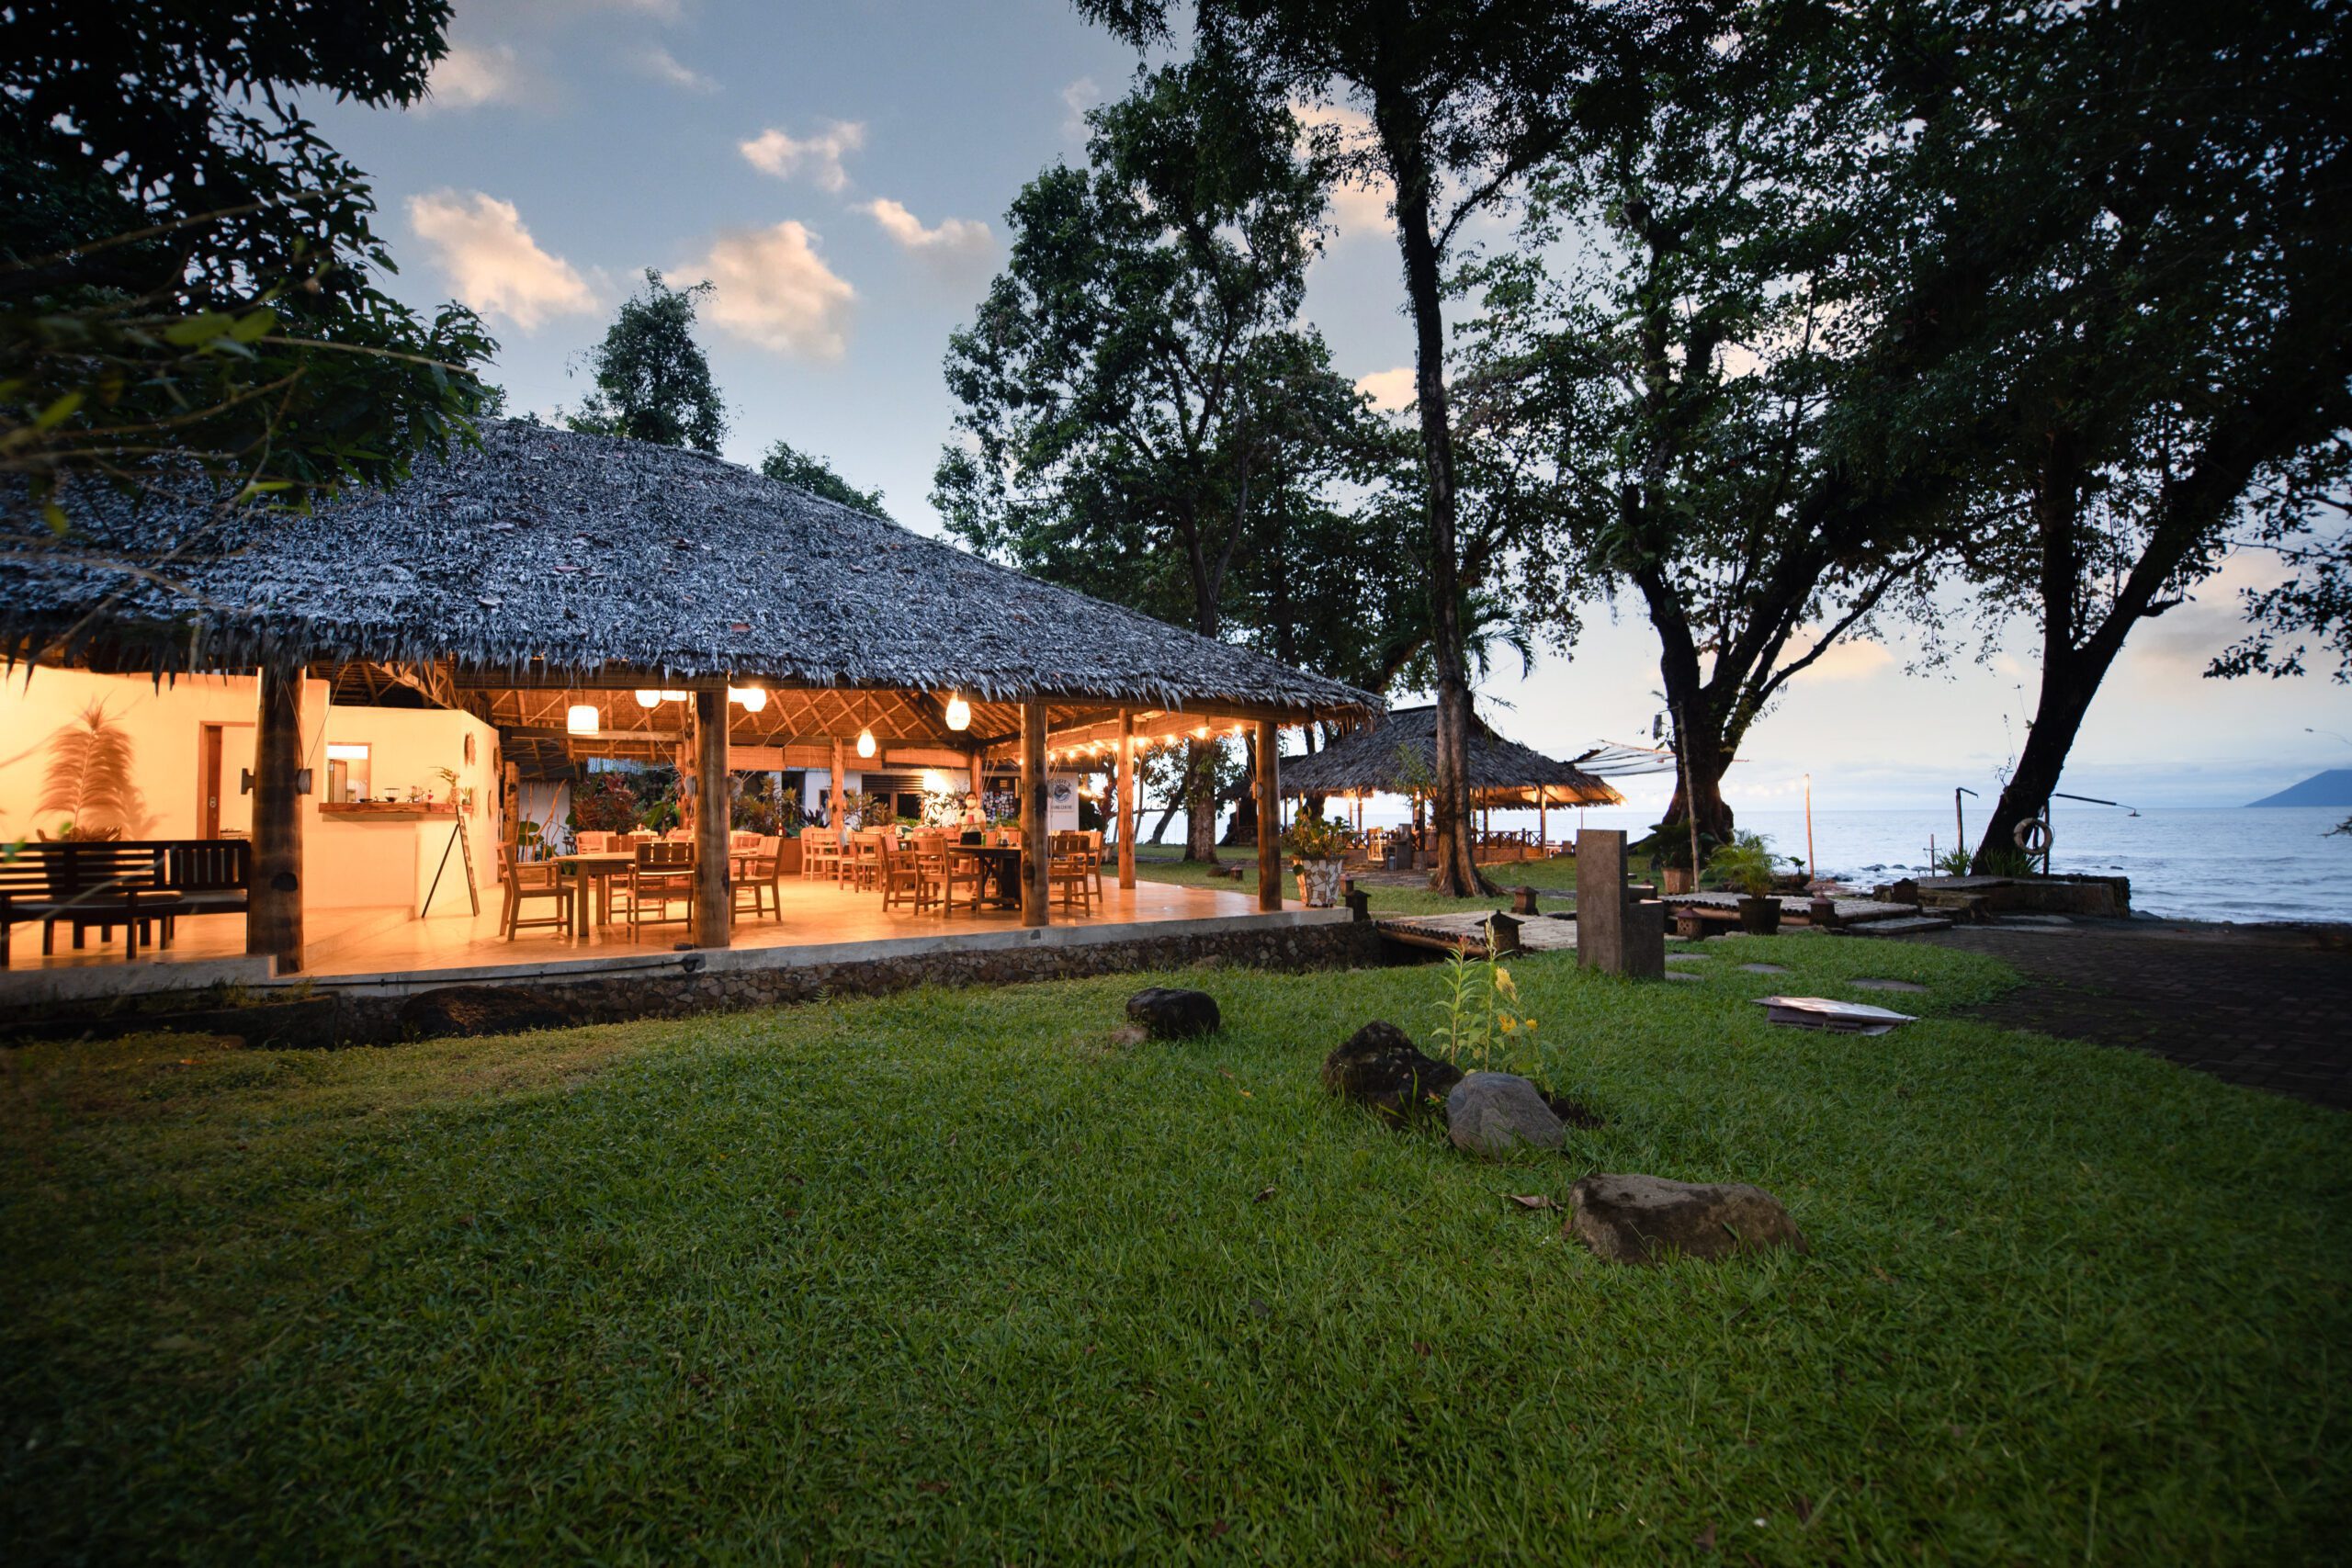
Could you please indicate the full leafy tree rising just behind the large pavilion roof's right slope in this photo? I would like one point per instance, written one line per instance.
(1140, 401)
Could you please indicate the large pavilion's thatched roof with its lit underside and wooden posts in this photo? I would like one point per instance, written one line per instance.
(549, 582)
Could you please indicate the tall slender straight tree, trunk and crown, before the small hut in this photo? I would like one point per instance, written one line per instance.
(1464, 100)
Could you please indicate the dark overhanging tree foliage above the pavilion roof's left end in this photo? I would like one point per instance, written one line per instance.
(189, 269)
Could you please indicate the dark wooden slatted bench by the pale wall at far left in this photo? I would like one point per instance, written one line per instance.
(138, 885)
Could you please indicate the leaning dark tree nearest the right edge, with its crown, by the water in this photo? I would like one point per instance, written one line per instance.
(2174, 326)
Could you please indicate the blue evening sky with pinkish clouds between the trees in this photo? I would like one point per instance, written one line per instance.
(841, 175)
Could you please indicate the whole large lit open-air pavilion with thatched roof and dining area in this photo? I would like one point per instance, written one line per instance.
(342, 742)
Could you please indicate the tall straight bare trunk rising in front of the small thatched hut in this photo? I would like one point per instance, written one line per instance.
(1457, 869)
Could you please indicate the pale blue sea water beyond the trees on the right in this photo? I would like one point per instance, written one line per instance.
(2236, 864)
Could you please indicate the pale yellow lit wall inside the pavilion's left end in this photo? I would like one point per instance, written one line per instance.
(345, 864)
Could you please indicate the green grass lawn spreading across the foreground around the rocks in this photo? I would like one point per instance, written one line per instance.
(963, 1278)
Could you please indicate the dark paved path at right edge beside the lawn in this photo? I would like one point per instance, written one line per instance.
(2271, 1010)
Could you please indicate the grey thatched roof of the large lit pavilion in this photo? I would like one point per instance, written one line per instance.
(561, 556)
